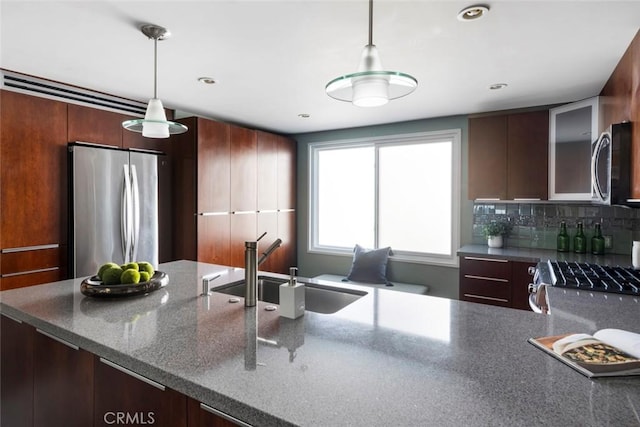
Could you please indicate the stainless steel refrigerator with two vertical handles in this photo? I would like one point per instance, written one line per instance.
(113, 207)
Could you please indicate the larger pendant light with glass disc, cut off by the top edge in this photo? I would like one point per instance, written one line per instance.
(371, 86)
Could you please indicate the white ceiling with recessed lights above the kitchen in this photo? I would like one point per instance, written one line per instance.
(272, 59)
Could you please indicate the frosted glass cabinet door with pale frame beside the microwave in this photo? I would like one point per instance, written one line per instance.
(573, 129)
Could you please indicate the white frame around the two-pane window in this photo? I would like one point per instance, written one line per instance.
(452, 135)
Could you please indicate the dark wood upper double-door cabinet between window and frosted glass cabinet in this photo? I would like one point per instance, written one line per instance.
(508, 156)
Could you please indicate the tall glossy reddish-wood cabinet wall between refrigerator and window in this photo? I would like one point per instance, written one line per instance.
(230, 185)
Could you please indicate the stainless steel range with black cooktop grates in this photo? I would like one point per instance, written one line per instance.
(580, 276)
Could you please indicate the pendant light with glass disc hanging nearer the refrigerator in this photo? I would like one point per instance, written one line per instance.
(155, 124)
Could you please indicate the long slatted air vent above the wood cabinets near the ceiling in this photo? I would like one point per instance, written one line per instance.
(61, 92)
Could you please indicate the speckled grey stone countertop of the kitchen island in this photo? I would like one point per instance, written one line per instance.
(388, 358)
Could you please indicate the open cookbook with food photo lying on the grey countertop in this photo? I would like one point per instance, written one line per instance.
(607, 353)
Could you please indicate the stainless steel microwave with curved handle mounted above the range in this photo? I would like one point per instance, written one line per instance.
(611, 166)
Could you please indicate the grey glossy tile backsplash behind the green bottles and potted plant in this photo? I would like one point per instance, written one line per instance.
(536, 225)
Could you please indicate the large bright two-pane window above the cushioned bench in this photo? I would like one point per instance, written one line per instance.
(399, 191)
